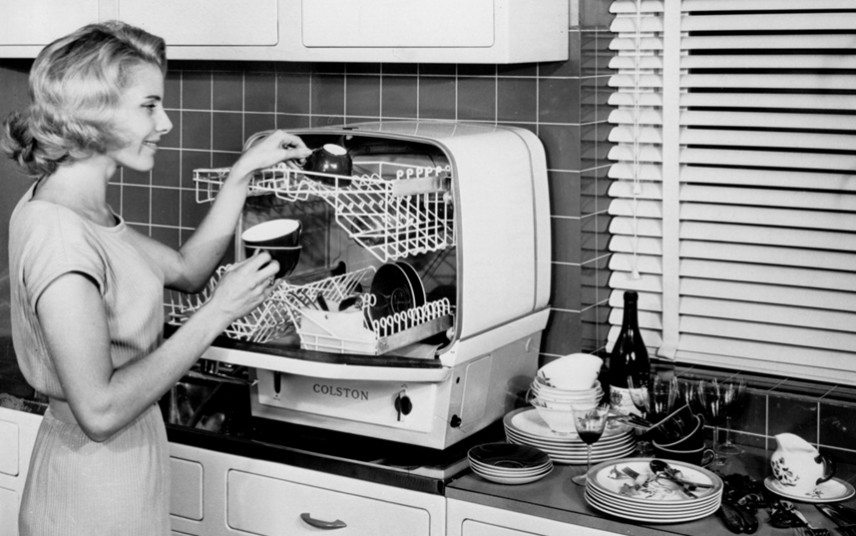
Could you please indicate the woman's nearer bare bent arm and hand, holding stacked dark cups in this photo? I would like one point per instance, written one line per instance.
(103, 399)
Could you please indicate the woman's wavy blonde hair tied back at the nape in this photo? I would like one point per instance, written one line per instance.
(75, 86)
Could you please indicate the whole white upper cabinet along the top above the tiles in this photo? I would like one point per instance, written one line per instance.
(403, 31)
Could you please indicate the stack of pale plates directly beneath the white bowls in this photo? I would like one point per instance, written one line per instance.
(525, 427)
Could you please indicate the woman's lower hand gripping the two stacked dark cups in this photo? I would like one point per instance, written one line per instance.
(245, 286)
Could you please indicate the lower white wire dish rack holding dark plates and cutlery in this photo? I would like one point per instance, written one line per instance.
(297, 308)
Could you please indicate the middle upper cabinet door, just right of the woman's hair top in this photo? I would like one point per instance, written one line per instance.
(205, 22)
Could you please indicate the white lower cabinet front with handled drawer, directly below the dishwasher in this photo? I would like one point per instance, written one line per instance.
(240, 495)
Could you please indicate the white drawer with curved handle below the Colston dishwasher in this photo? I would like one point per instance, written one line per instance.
(271, 506)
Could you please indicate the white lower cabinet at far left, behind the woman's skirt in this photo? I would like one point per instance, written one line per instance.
(17, 436)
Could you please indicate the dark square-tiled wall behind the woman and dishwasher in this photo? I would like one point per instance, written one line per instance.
(215, 106)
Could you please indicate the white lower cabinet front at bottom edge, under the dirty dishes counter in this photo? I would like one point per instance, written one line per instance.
(470, 519)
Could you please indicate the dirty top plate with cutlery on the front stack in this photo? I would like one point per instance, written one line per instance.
(609, 479)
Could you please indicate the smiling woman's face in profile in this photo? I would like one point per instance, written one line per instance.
(140, 119)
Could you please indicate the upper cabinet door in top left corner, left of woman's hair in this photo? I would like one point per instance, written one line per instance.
(38, 22)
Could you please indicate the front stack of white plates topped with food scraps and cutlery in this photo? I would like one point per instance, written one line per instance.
(649, 500)
